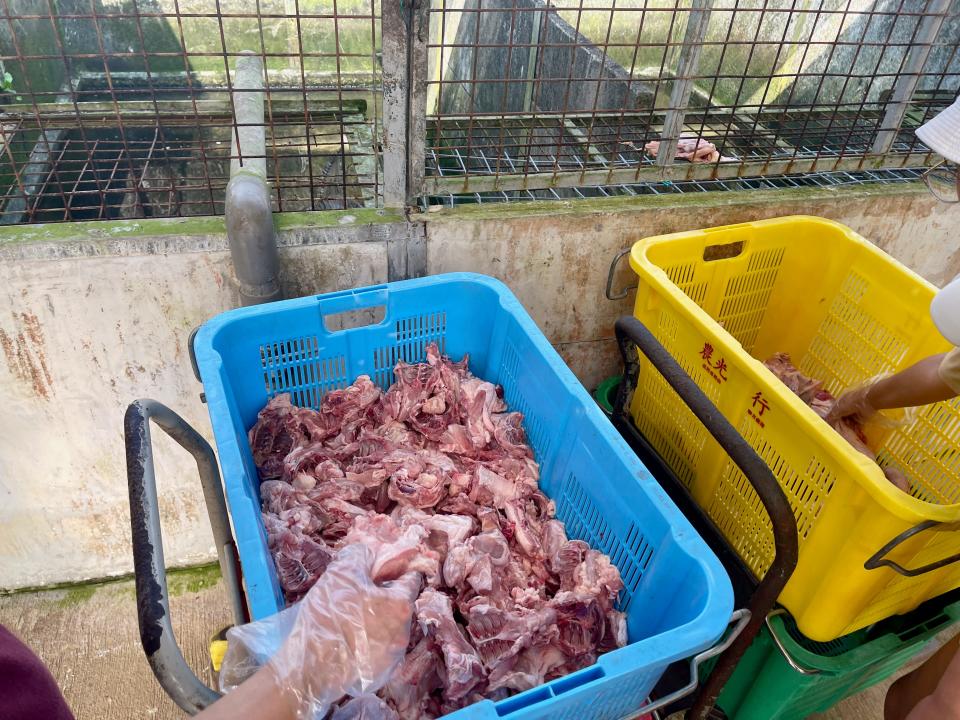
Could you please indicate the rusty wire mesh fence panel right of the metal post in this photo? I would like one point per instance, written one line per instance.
(533, 94)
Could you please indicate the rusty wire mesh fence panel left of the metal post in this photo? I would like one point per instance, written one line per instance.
(126, 108)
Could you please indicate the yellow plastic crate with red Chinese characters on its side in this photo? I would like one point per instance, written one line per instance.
(723, 299)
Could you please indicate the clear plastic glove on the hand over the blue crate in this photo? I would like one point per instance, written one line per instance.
(344, 638)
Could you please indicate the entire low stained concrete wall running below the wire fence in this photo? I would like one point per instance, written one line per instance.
(95, 315)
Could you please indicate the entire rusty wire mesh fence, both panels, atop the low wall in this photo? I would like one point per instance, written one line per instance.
(127, 108)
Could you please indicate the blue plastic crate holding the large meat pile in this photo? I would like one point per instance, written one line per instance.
(677, 596)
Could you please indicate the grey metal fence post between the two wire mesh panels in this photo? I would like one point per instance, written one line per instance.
(406, 29)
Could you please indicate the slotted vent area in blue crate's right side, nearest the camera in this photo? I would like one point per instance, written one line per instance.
(631, 553)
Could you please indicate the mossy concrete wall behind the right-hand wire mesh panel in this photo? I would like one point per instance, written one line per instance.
(773, 53)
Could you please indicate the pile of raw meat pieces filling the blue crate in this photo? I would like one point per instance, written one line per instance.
(439, 468)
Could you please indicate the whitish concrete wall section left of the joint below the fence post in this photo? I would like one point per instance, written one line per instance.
(93, 316)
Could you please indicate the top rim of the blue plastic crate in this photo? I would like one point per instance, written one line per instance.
(665, 646)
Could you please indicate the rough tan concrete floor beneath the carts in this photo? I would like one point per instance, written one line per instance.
(88, 637)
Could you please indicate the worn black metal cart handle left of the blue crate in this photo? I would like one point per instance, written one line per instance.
(153, 609)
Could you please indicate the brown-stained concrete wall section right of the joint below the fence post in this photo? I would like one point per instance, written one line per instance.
(555, 256)
